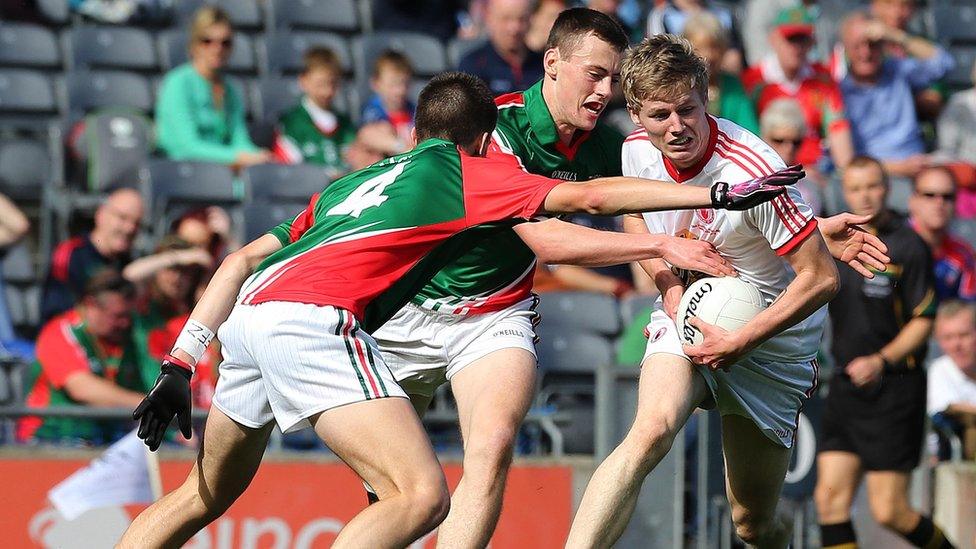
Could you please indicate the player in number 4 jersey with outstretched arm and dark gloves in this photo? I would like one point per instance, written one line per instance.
(295, 308)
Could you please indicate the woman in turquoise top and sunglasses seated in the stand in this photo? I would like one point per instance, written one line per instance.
(199, 111)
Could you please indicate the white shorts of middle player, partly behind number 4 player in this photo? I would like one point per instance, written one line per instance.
(425, 349)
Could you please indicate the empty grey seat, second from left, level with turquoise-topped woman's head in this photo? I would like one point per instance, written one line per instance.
(112, 48)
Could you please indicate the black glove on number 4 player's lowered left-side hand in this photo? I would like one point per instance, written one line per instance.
(169, 397)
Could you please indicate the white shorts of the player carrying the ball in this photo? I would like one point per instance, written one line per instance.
(770, 393)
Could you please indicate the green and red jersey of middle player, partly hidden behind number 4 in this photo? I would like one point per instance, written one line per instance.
(497, 272)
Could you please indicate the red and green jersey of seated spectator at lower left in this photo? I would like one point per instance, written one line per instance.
(65, 347)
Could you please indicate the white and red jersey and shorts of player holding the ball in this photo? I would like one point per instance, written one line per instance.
(770, 383)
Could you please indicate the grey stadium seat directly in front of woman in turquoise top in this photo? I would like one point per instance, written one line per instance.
(172, 184)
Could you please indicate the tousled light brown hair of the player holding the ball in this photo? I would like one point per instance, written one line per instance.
(662, 67)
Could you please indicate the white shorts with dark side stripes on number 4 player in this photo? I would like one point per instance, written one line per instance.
(289, 361)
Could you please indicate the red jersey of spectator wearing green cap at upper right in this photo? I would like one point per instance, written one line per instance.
(815, 91)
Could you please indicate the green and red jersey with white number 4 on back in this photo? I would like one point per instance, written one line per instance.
(379, 234)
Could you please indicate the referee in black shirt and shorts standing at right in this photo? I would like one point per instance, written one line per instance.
(874, 419)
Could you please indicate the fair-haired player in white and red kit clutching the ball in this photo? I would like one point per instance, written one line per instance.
(759, 375)
